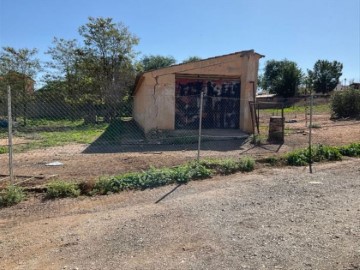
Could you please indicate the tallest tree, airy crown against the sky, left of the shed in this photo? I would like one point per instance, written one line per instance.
(108, 59)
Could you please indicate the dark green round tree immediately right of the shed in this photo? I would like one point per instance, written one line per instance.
(281, 77)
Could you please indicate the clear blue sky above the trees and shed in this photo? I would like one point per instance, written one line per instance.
(301, 31)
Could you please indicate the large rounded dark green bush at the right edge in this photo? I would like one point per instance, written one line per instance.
(346, 104)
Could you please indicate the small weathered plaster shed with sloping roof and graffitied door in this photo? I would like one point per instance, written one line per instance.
(169, 98)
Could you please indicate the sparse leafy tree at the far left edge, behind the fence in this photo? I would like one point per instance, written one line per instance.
(17, 69)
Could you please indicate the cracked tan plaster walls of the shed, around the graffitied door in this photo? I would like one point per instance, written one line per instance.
(154, 102)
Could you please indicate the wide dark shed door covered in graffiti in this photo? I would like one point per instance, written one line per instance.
(221, 106)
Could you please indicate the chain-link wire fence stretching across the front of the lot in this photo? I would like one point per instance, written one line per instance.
(83, 139)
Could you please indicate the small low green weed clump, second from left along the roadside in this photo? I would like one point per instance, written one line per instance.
(62, 189)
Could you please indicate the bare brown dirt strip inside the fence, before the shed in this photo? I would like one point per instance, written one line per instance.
(85, 162)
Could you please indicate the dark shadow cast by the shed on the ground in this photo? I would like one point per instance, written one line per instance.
(126, 136)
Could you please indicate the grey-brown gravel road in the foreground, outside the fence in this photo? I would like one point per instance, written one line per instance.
(272, 218)
